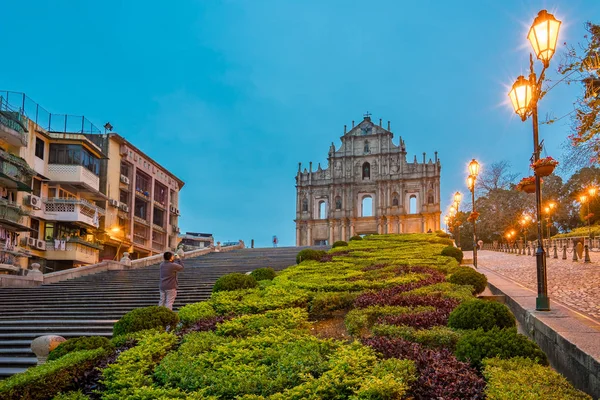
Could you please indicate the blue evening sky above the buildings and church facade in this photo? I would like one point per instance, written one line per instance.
(231, 95)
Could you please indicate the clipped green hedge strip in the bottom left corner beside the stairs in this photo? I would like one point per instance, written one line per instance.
(47, 380)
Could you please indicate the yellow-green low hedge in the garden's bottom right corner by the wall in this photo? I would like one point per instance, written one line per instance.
(522, 378)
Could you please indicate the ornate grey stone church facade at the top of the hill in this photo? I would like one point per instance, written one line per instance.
(368, 187)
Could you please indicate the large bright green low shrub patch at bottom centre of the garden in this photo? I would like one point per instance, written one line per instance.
(282, 364)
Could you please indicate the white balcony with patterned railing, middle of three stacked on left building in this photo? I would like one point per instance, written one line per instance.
(77, 211)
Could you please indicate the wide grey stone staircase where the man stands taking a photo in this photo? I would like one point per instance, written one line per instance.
(90, 305)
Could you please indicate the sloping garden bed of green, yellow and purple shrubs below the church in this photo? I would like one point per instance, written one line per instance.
(378, 318)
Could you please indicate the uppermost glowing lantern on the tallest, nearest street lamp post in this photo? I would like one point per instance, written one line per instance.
(543, 36)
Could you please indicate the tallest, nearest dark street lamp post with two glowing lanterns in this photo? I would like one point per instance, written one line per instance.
(524, 96)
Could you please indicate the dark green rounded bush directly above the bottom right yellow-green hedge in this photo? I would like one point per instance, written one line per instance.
(476, 345)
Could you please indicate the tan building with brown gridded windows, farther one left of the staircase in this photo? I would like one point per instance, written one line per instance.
(143, 200)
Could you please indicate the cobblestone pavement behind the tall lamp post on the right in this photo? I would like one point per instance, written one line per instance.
(572, 283)
